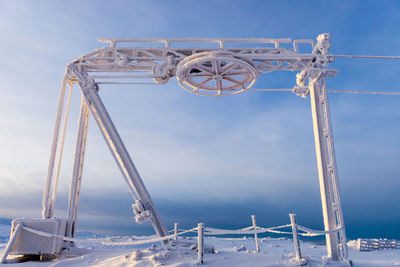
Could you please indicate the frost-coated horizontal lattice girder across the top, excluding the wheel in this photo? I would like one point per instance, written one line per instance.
(161, 63)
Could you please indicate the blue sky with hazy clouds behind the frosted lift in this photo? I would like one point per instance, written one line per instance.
(215, 160)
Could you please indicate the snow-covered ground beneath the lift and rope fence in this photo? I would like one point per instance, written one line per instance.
(228, 252)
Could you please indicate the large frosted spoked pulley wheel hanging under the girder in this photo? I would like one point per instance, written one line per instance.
(216, 73)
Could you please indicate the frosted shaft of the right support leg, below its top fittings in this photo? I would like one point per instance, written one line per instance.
(327, 172)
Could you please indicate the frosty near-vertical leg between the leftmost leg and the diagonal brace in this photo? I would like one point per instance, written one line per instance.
(77, 169)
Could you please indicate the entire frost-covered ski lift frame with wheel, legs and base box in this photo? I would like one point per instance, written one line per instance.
(209, 67)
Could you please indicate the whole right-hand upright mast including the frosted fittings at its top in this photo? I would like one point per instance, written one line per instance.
(325, 151)
